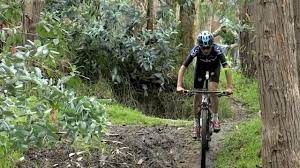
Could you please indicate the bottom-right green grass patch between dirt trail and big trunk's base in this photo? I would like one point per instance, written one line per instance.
(241, 146)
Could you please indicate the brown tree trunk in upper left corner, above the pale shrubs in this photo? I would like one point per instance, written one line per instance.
(32, 14)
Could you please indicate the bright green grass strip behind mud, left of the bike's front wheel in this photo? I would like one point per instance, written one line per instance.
(122, 115)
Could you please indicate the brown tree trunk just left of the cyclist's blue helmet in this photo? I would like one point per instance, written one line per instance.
(186, 16)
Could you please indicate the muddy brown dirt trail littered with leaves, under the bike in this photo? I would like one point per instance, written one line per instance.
(139, 146)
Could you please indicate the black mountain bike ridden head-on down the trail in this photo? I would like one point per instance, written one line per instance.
(205, 117)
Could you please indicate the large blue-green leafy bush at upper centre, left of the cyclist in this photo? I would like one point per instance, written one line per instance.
(110, 42)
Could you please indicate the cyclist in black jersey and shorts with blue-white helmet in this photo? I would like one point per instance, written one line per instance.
(209, 58)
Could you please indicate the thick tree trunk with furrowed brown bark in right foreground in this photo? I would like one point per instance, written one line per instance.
(278, 80)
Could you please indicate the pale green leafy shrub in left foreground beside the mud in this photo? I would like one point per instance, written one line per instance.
(28, 97)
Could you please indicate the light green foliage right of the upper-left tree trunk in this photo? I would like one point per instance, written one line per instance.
(52, 32)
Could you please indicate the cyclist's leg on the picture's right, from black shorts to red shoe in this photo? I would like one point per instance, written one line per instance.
(215, 75)
